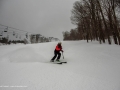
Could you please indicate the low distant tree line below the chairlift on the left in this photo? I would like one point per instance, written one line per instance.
(35, 38)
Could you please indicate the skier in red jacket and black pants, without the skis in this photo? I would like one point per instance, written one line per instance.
(57, 52)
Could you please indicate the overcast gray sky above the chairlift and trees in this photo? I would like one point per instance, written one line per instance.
(47, 17)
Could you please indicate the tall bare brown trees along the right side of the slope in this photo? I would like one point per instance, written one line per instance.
(95, 20)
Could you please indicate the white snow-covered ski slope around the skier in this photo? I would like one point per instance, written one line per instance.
(90, 66)
